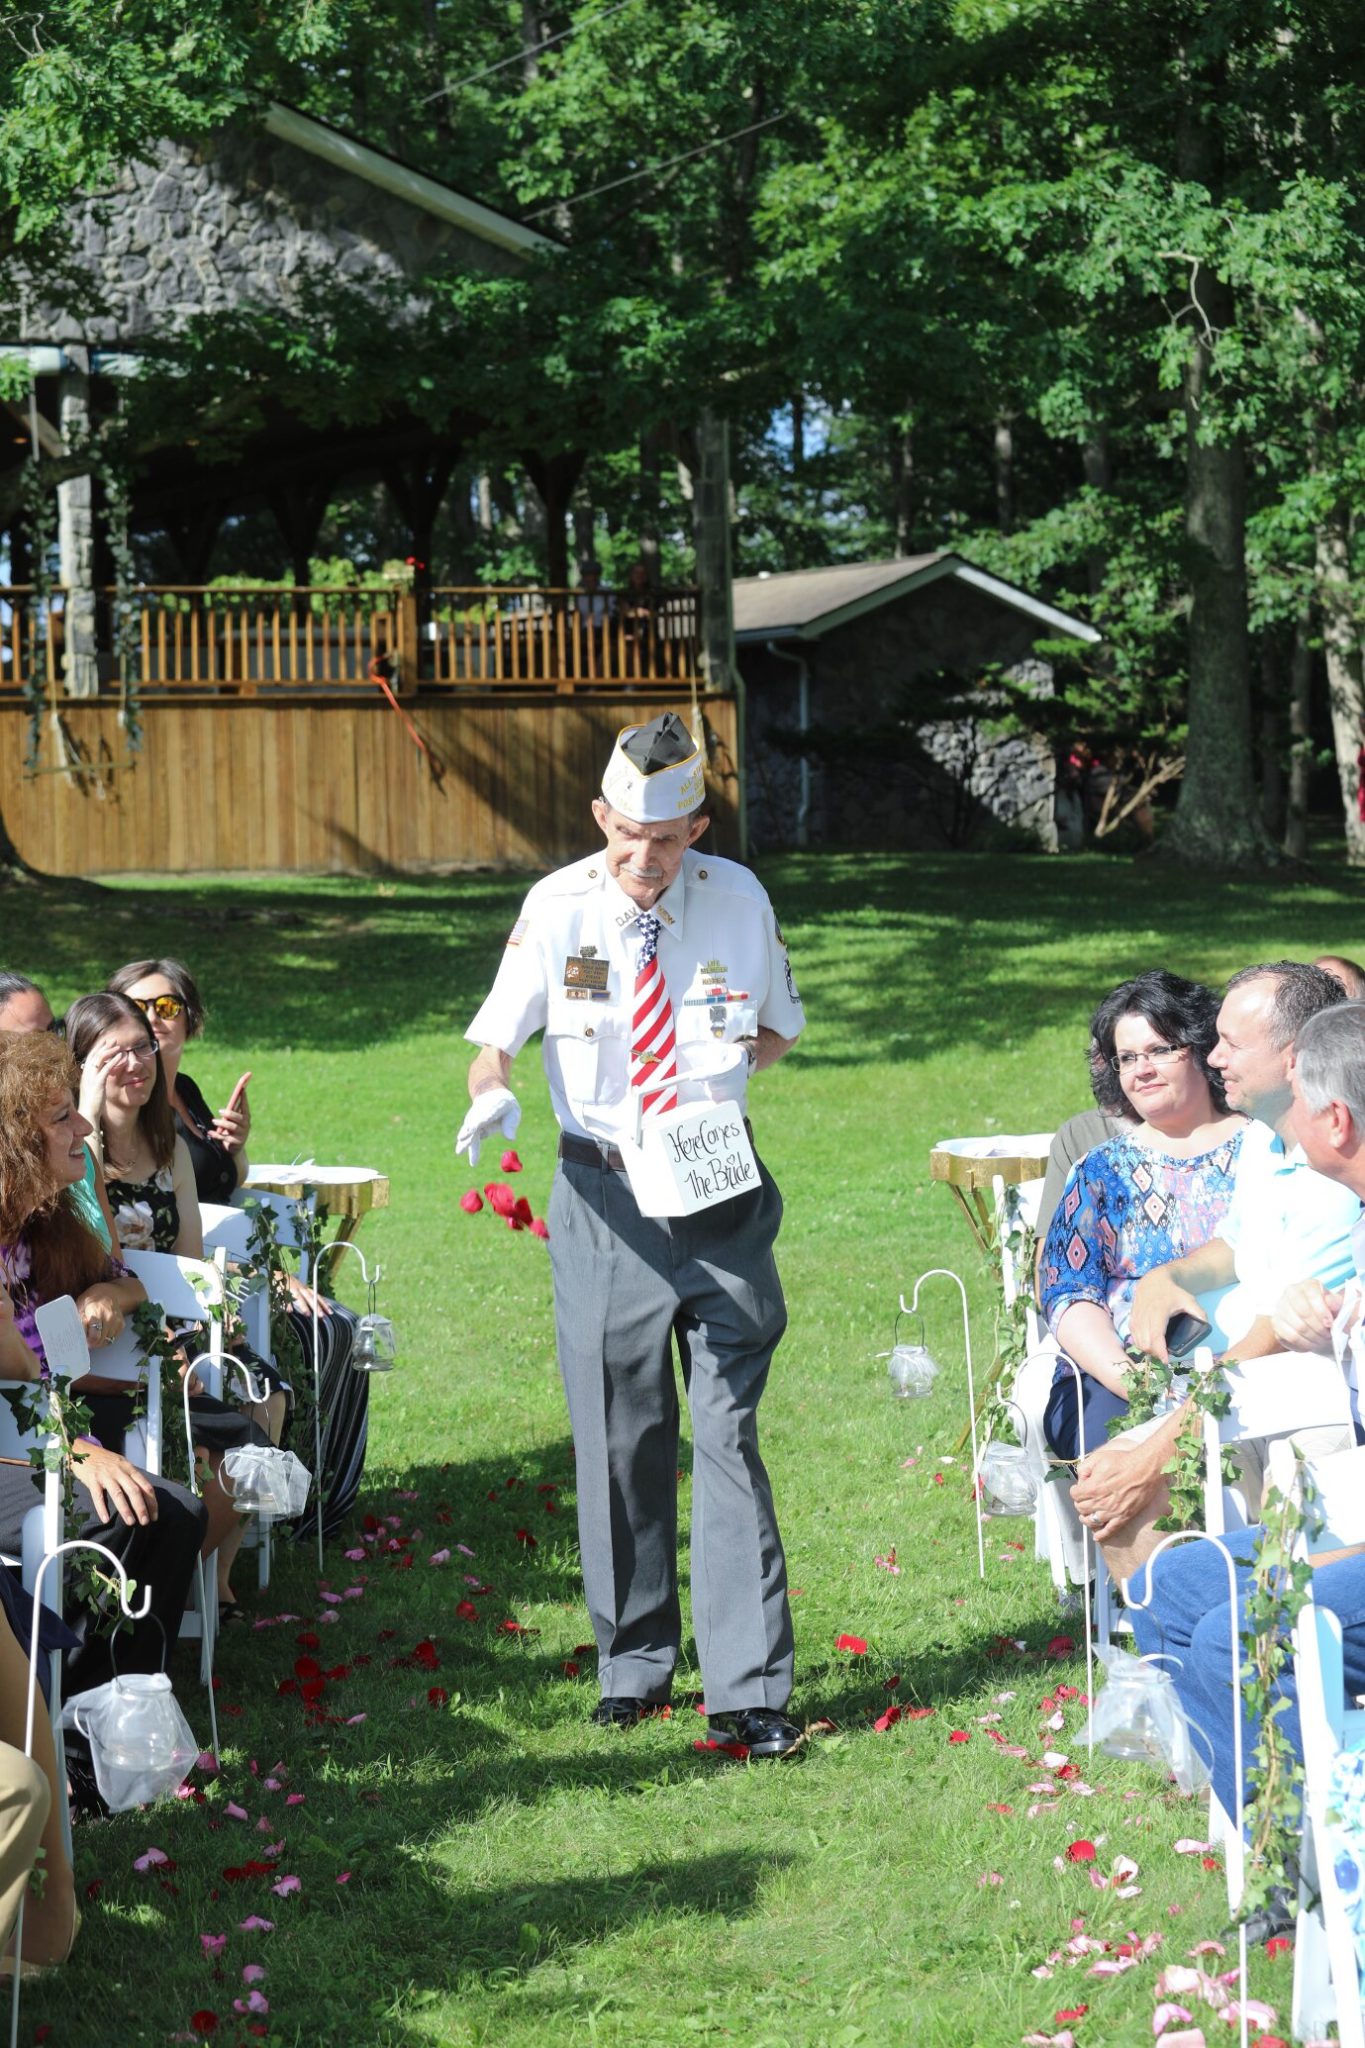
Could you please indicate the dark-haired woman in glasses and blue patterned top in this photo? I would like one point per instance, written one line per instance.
(1139, 1201)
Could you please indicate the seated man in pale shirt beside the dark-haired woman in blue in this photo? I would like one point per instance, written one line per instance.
(1286, 1226)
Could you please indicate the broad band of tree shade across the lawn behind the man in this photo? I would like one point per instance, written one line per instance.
(897, 953)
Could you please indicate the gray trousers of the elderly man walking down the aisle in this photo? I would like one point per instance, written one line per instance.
(625, 1287)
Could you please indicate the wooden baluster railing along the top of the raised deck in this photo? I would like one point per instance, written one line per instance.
(243, 642)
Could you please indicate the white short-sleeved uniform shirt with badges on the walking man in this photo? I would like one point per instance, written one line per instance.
(570, 972)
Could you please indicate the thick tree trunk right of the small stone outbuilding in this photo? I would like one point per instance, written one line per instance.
(1217, 818)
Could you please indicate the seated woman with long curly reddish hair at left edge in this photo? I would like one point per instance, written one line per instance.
(46, 1250)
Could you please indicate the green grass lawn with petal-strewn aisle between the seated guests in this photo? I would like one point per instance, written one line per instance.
(513, 1875)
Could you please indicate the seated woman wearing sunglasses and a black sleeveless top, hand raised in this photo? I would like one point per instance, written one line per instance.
(169, 996)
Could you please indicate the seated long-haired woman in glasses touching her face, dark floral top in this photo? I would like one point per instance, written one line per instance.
(150, 1189)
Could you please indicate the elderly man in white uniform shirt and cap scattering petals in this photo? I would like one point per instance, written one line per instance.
(662, 982)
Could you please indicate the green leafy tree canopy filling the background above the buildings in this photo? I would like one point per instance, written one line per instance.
(1069, 286)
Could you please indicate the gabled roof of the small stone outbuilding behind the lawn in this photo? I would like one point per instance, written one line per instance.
(811, 603)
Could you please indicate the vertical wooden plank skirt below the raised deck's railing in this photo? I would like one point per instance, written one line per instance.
(310, 781)
